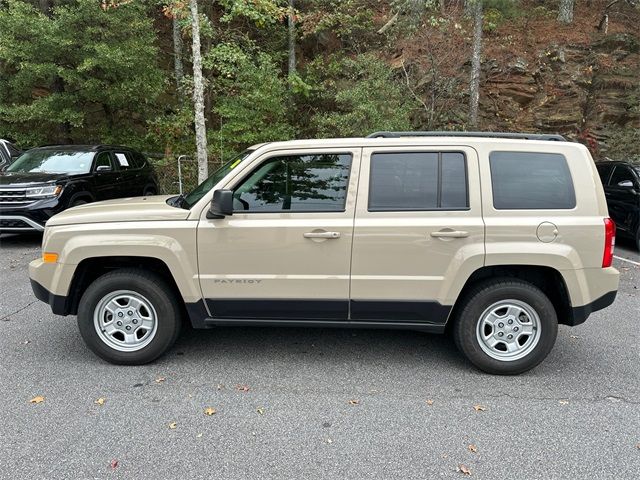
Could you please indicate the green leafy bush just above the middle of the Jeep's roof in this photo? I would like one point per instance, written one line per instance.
(358, 96)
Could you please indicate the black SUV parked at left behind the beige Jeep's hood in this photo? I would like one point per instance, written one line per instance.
(44, 181)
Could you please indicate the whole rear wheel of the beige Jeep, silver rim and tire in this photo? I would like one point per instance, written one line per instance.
(506, 326)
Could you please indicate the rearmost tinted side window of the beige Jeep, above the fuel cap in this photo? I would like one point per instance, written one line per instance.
(530, 180)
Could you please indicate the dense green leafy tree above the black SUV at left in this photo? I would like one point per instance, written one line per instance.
(84, 73)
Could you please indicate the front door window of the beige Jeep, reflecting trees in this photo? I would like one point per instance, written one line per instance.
(296, 183)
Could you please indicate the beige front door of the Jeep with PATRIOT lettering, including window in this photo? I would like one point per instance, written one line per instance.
(285, 252)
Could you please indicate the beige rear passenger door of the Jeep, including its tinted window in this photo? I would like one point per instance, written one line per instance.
(418, 230)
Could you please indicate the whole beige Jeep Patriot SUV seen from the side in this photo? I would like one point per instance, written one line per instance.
(496, 237)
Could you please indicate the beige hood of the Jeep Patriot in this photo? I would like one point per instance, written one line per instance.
(135, 209)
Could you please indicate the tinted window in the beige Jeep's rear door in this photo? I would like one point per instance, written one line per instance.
(418, 181)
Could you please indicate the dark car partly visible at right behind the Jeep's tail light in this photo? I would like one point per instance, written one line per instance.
(621, 182)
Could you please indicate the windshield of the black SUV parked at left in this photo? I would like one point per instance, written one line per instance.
(52, 161)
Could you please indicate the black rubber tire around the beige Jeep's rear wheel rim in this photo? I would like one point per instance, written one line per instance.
(488, 293)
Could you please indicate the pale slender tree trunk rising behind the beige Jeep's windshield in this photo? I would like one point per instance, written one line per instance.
(198, 95)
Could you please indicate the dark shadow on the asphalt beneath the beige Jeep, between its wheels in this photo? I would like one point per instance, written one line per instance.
(392, 348)
